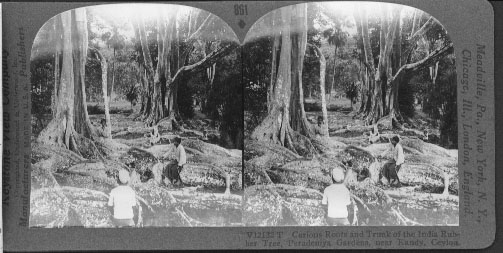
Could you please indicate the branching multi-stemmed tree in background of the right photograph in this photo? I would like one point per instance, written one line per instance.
(379, 91)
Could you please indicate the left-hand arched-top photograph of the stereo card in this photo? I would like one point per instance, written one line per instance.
(137, 119)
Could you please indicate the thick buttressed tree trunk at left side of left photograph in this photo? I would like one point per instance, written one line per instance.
(71, 127)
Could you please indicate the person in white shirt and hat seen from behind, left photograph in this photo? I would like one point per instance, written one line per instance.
(123, 201)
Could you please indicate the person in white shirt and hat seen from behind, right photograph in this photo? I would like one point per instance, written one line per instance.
(337, 198)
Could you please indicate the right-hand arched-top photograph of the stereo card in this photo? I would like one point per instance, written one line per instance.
(350, 113)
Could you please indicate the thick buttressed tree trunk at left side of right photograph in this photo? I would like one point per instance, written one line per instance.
(286, 123)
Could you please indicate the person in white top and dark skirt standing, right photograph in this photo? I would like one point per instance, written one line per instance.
(391, 168)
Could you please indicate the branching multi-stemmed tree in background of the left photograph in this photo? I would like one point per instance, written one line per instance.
(160, 98)
